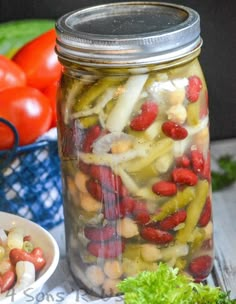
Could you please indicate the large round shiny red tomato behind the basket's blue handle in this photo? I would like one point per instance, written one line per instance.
(28, 110)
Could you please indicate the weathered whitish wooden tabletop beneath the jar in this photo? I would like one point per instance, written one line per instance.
(224, 215)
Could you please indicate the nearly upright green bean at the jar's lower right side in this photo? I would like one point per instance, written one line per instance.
(194, 210)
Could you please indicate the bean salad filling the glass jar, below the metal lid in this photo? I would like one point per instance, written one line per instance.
(136, 175)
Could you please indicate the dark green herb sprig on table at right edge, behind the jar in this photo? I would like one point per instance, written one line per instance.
(227, 174)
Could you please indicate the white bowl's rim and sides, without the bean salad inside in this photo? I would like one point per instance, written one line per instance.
(40, 238)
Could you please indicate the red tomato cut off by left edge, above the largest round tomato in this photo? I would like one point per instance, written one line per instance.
(11, 75)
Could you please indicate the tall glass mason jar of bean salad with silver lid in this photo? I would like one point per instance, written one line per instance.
(134, 143)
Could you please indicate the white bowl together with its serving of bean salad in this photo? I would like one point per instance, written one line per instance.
(29, 257)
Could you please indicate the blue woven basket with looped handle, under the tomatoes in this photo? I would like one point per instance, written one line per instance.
(30, 181)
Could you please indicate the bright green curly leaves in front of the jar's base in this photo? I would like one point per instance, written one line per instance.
(167, 286)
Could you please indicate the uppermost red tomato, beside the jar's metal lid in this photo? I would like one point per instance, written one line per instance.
(39, 60)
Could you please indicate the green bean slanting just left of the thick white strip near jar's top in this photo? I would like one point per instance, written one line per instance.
(88, 98)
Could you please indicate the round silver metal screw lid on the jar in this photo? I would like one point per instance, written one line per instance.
(128, 33)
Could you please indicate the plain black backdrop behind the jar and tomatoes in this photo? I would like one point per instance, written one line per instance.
(218, 57)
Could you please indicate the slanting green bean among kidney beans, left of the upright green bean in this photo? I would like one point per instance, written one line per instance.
(179, 201)
